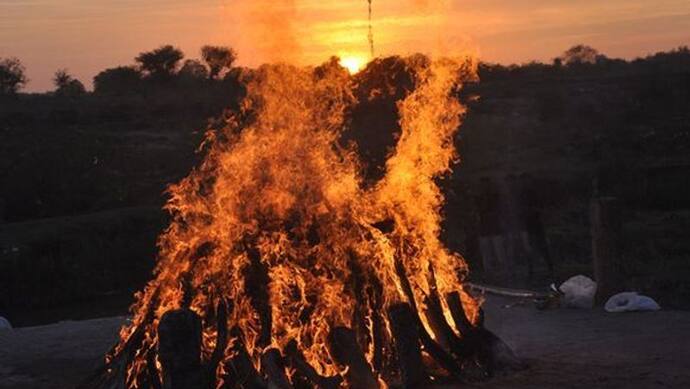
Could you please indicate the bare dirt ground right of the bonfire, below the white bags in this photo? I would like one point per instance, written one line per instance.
(593, 349)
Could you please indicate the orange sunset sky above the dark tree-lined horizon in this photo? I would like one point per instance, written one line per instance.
(86, 36)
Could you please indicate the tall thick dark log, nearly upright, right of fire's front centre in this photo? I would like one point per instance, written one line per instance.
(405, 334)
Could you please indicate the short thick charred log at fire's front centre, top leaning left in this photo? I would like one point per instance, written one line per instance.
(345, 351)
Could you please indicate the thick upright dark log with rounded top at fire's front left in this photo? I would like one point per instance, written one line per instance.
(179, 349)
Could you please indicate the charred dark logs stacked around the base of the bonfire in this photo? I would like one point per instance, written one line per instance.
(452, 352)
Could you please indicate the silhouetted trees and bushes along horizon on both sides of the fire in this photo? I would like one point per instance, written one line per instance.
(166, 65)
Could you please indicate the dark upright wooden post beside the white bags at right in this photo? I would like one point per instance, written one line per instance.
(606, 233)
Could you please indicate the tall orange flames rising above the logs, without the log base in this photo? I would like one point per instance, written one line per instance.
(277, 218)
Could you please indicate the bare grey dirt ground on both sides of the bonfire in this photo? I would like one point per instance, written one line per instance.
(563, 348)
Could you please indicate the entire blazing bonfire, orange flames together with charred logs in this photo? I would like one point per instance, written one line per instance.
(283, 268)
